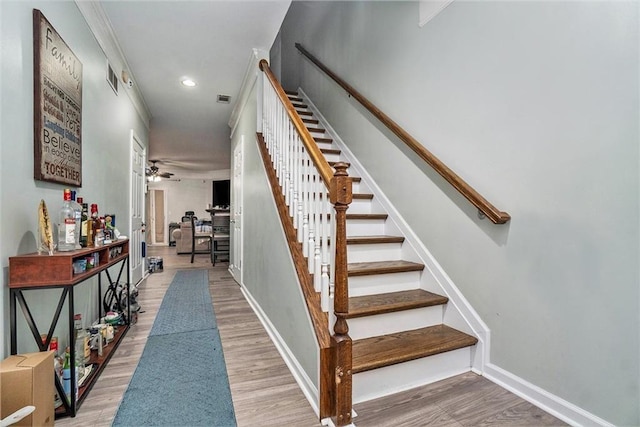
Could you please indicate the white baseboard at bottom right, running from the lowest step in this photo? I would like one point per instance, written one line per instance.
(556, 406)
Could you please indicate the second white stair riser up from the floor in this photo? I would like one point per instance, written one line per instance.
(389, 323)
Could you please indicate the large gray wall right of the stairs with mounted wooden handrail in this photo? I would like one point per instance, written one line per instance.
(535, 104)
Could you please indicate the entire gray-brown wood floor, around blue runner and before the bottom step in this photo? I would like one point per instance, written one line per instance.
(264, 391)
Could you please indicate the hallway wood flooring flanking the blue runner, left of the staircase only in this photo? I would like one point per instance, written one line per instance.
(264, 391)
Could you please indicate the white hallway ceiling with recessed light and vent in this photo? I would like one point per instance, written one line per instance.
(208, 41)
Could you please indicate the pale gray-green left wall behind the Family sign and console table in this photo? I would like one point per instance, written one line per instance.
(107, 121)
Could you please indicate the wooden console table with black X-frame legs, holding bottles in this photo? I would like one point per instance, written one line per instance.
(31, 272)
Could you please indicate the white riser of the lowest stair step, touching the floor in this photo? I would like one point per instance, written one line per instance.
(404, 376)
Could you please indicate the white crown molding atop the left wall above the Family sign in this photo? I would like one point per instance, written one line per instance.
(100, 26)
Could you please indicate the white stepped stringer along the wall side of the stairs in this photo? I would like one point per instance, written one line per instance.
(459, 313)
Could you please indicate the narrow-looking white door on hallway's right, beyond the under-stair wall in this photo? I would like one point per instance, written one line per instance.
(235, 265)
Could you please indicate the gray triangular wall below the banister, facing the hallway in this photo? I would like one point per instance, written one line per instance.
(268, 270)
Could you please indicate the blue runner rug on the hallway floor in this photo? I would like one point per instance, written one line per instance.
(181, 378)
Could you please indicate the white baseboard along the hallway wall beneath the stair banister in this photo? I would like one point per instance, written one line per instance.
(306, 385)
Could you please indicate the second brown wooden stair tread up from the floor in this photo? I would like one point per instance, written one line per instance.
(394, 301)
